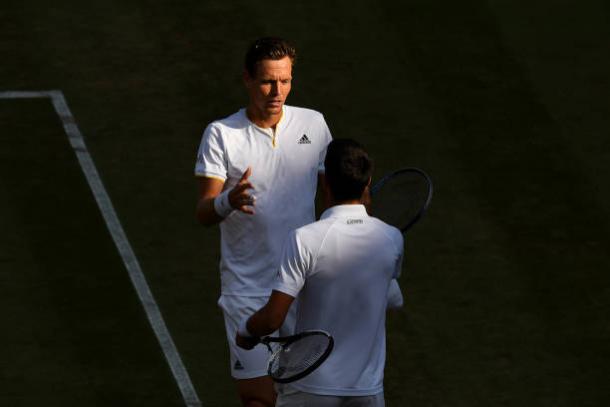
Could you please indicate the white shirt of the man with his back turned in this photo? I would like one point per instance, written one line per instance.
(341, 267)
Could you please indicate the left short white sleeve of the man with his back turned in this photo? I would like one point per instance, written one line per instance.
(293, 267)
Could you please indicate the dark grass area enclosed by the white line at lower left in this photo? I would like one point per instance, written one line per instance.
(74, 331)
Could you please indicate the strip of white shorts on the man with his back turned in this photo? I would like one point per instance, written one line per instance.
(288, 396)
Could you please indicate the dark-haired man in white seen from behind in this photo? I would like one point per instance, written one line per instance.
(341, 269)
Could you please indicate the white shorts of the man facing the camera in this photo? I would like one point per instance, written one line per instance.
(248, 364)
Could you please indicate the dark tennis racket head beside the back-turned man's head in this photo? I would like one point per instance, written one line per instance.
(402, 197)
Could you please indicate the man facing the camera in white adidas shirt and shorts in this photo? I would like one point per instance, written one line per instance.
(259, 171)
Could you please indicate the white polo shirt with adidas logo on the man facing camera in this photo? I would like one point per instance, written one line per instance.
(285, 165)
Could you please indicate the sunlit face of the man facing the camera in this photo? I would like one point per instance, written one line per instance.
(269, 87)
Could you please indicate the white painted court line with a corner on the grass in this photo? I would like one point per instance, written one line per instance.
(120, 239)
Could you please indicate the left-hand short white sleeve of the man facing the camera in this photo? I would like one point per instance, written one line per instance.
(211, 157)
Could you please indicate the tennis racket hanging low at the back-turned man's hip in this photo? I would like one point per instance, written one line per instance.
(294, 357)
